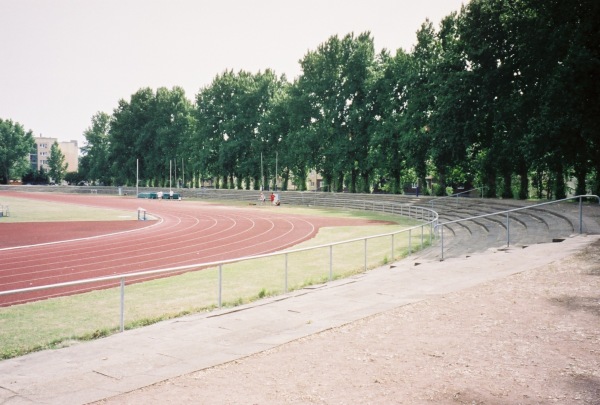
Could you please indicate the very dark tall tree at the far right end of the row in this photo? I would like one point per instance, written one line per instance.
(566, 128)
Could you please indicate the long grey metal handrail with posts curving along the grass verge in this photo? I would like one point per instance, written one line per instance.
(432, 216)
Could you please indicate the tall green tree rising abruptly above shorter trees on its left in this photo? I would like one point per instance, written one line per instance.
(334, 83)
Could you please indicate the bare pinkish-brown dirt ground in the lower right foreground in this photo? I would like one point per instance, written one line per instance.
(532, 338)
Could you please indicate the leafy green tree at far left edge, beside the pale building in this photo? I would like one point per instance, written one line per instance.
(15, 147)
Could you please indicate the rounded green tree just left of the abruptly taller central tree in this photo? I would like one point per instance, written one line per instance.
(234, 126)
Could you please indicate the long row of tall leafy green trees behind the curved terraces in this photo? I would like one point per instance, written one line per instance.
(502, 94)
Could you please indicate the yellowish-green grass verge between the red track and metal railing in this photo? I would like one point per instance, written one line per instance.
(63, 321)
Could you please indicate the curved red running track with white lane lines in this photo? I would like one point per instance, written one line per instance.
(185, 232)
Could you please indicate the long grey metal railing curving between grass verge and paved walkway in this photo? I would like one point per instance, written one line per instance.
(418, 213)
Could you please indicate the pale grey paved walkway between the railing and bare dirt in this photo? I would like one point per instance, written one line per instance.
(124, 362)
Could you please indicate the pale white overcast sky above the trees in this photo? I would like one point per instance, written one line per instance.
(62, 61)
